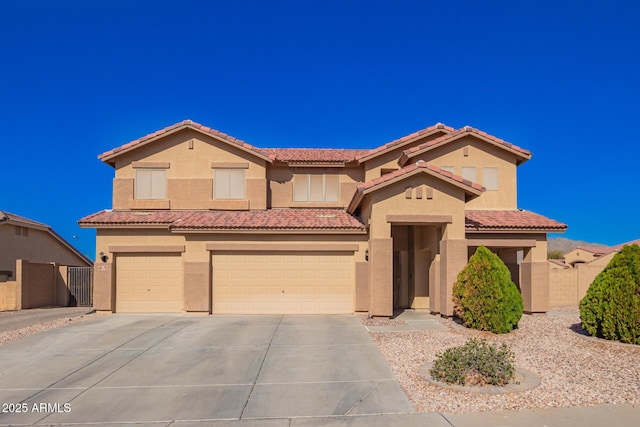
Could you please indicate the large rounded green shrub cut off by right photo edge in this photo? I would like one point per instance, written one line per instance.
(611, 307)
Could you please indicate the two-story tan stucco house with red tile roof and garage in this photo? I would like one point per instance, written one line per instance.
(204, 222)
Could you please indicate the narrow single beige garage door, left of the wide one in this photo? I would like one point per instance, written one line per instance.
(148, 283)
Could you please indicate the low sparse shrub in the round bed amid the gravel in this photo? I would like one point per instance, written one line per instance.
(475, 363)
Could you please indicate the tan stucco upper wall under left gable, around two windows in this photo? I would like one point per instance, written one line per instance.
(190, 172)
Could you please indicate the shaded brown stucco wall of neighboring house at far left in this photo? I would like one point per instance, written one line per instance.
(38, 247)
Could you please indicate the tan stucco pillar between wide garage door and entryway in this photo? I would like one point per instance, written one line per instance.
(381, 276)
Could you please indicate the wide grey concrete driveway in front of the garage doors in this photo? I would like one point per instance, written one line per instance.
(135, 368)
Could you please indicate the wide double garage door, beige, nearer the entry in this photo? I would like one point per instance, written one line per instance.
(287, 283)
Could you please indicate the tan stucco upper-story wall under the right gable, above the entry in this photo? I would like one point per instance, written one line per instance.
(480, 154)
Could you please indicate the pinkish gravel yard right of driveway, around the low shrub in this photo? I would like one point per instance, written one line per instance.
(573, 371)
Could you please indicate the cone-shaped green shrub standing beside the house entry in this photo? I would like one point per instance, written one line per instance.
(484, 295)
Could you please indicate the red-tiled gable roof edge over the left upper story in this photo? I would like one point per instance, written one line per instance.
(108, 156)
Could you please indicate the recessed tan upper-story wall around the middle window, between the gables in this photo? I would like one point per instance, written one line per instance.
(280, 177)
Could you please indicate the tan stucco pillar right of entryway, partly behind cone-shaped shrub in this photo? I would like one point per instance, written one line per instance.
(453, 258)
